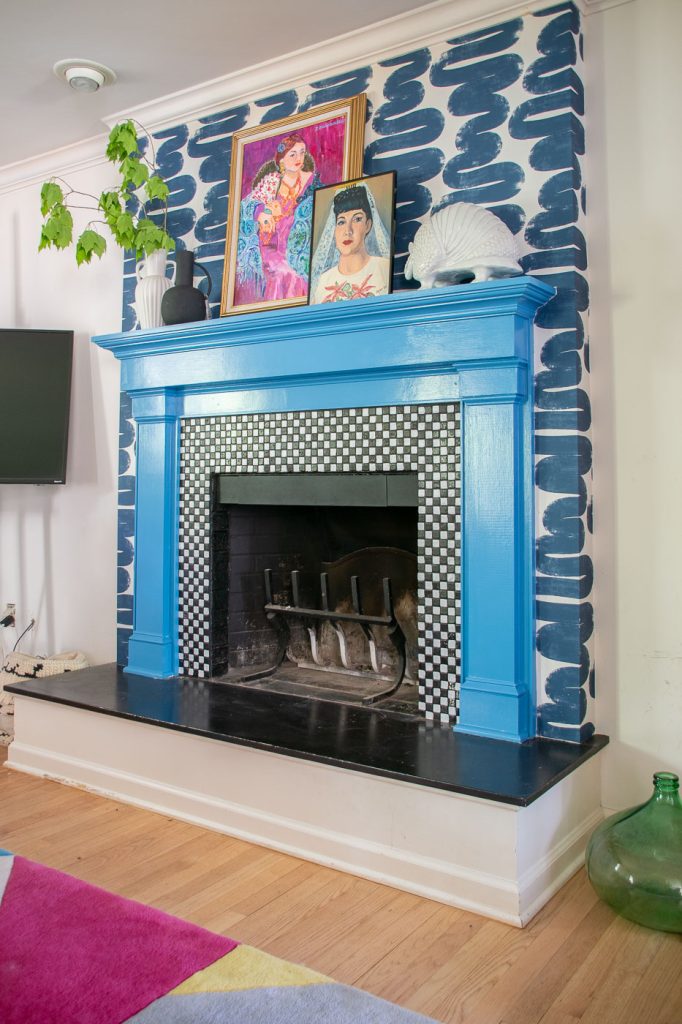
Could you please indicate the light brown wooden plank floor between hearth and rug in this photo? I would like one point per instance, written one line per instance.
(577, 962)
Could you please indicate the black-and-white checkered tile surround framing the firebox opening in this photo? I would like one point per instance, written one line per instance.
(424, 440)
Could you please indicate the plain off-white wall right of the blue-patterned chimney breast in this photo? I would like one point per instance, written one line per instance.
(636, 342)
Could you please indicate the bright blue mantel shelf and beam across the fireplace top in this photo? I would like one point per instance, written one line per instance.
(474, 335)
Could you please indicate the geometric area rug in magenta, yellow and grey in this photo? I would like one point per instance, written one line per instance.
(71, 954)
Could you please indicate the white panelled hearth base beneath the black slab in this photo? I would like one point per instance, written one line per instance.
(493, 859)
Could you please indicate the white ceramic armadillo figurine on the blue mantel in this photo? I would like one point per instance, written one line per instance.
(460, 244)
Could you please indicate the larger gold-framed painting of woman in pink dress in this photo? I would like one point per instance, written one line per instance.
(276, 172)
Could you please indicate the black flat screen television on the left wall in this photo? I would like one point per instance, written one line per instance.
(35, 402)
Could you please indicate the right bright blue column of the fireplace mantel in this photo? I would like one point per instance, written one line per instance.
(496, 693)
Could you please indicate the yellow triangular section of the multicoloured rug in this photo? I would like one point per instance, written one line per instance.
(247, 968)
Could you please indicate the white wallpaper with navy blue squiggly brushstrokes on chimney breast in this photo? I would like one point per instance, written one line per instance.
(494, 117)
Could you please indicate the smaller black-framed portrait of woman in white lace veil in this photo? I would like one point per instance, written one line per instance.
(353, 240)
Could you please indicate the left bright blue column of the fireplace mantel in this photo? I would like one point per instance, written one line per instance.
(153, 649)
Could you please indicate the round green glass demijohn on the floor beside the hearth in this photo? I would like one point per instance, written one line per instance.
(634, 859)
